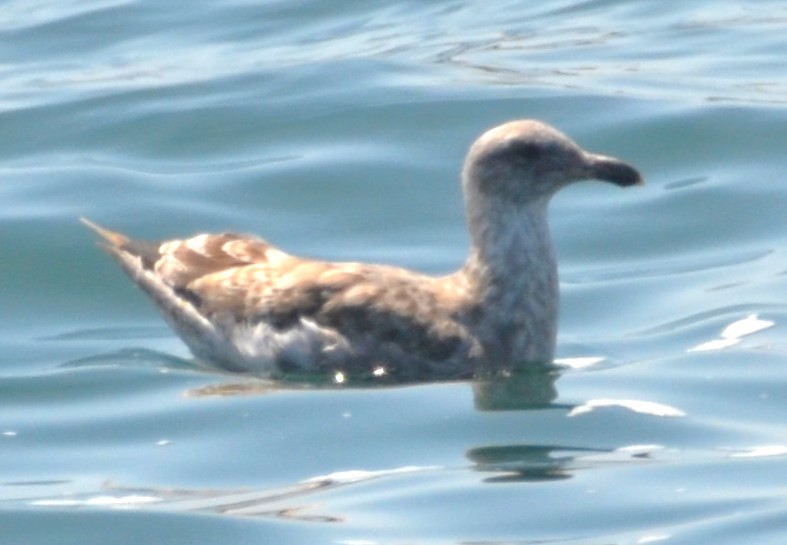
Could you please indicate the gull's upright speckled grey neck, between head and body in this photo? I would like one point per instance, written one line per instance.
(512, 278)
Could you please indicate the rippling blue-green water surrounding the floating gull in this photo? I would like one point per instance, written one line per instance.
(338, 132)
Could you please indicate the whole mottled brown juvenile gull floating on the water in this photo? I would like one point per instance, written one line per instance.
(243, 304)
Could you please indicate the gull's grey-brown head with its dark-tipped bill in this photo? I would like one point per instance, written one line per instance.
(527, 161)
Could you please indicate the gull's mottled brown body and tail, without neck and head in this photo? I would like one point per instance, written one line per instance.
(241, 303)
